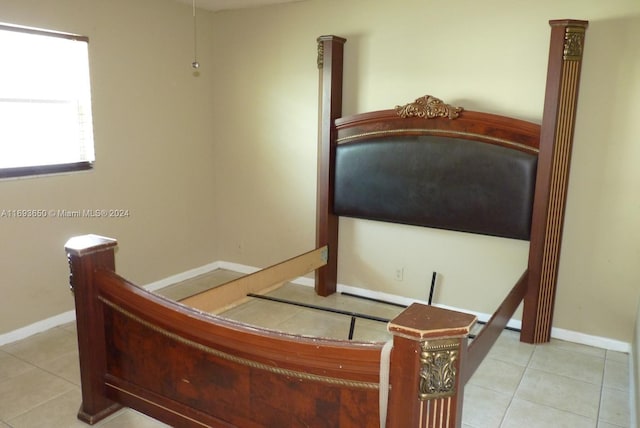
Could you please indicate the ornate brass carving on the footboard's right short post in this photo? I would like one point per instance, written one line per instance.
(438, 369)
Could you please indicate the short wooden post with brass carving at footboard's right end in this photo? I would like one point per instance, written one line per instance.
(429, 348)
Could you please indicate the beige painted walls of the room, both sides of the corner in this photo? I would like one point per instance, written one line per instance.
(222, 166)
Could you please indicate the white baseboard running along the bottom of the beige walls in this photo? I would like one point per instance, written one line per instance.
(557, 333)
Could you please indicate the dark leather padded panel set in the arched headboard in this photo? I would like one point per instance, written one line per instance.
(435, 181)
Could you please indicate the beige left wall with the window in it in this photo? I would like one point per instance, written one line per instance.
(153, 140)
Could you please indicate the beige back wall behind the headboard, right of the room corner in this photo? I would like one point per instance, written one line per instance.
(487, 55)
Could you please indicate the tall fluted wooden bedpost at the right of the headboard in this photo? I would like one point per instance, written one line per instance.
(556, 139)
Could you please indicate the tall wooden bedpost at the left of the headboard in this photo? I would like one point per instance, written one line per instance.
(330, 56)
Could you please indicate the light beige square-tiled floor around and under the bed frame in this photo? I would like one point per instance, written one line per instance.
(559, 384)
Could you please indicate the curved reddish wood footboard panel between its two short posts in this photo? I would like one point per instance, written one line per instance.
(216, 371)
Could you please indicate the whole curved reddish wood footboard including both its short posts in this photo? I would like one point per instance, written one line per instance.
(189, 368)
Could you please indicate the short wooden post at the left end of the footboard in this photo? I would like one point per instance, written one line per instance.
(86, 254)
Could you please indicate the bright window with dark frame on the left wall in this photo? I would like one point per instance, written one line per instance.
(45, 102)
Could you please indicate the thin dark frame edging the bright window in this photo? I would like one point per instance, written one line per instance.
(37, 170)
